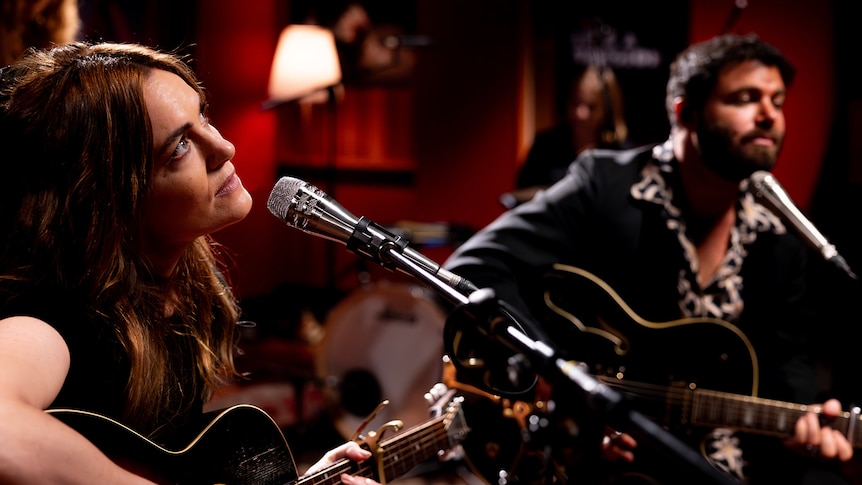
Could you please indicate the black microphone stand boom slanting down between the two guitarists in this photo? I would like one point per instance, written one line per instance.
(495, 319)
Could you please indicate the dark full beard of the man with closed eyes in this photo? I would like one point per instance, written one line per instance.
(731, 161)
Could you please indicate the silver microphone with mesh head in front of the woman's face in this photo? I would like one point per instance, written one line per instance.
(309, 209)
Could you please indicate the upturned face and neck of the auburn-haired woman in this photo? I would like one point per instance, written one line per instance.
(194, 189)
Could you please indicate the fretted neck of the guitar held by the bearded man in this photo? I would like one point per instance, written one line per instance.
(762, 416)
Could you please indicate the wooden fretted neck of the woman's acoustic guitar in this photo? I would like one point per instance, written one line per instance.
(398, 455)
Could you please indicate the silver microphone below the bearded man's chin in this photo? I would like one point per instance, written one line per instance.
(771, 194)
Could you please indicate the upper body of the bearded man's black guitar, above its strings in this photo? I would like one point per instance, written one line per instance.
(597, 328)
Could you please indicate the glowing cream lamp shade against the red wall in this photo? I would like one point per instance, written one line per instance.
(305, 61)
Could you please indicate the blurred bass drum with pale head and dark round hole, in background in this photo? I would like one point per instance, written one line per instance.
(383, 341)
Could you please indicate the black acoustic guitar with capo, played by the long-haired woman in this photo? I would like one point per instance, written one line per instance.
(242, 445)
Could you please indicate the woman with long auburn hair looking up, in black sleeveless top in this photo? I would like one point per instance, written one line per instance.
(113, 297)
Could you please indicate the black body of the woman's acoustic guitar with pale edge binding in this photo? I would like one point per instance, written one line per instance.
(238, 445)
